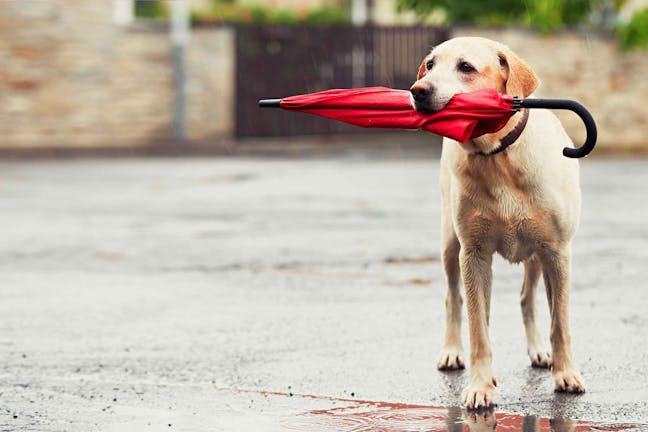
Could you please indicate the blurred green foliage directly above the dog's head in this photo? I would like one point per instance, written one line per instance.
(545, 15)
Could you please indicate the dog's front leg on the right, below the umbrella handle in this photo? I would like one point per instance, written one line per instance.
(556, 266)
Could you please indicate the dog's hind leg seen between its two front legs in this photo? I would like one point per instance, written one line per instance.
(536, 348)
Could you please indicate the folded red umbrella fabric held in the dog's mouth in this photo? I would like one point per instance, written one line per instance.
(466, 116)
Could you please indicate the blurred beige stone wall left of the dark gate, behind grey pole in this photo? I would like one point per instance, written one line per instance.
(70, 77)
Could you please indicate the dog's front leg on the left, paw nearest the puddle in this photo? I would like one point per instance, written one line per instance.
(477, 277)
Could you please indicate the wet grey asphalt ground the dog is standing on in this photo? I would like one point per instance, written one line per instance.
(288, 294)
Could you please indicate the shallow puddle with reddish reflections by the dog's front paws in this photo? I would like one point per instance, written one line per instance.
(364, 416)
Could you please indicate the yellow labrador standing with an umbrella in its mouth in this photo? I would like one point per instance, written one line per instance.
(510, 192)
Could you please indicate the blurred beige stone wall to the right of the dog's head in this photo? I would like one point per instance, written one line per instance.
(611, 83)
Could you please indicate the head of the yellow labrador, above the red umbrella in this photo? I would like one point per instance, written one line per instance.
(466, 64)
